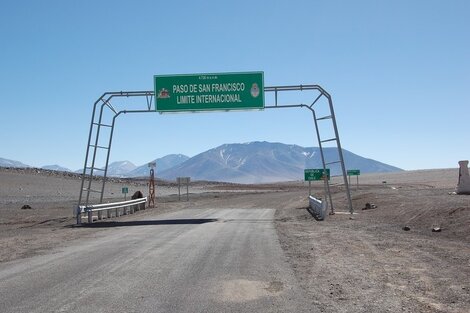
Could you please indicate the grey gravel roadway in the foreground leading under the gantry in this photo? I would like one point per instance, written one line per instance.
(193, 260)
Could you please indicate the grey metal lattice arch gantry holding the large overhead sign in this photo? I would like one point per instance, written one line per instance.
(98, 123)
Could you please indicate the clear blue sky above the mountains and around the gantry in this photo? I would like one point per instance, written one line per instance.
(398, 72)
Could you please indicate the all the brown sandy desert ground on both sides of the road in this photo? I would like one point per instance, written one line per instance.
(360, 263)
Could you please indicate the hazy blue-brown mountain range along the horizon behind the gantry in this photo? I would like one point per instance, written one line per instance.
(254, 162)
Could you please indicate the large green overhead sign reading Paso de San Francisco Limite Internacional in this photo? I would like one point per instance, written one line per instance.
(208, 92)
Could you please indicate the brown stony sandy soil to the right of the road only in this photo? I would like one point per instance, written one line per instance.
(369, 263)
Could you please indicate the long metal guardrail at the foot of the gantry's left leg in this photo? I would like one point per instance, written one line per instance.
(128, 207)
